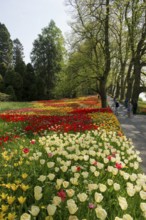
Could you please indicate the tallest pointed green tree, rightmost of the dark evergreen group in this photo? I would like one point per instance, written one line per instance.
(47, 56)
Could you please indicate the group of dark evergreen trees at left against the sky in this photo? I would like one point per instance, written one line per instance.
(32, 81)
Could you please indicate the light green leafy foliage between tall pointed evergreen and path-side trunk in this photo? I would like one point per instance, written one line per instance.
(78, 78)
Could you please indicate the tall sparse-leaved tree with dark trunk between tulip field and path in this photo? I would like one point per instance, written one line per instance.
(91, 23)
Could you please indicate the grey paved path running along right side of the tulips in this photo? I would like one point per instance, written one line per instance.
(134, 128)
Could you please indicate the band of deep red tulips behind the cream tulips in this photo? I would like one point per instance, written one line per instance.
(77, 120)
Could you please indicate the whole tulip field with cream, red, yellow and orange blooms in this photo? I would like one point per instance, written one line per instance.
(68, 160)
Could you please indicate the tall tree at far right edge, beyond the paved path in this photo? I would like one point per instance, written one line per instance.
(136, 23)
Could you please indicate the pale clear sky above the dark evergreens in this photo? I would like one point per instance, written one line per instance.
(25, 19)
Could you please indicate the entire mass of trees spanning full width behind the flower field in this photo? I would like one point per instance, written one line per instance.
(106, 54)
